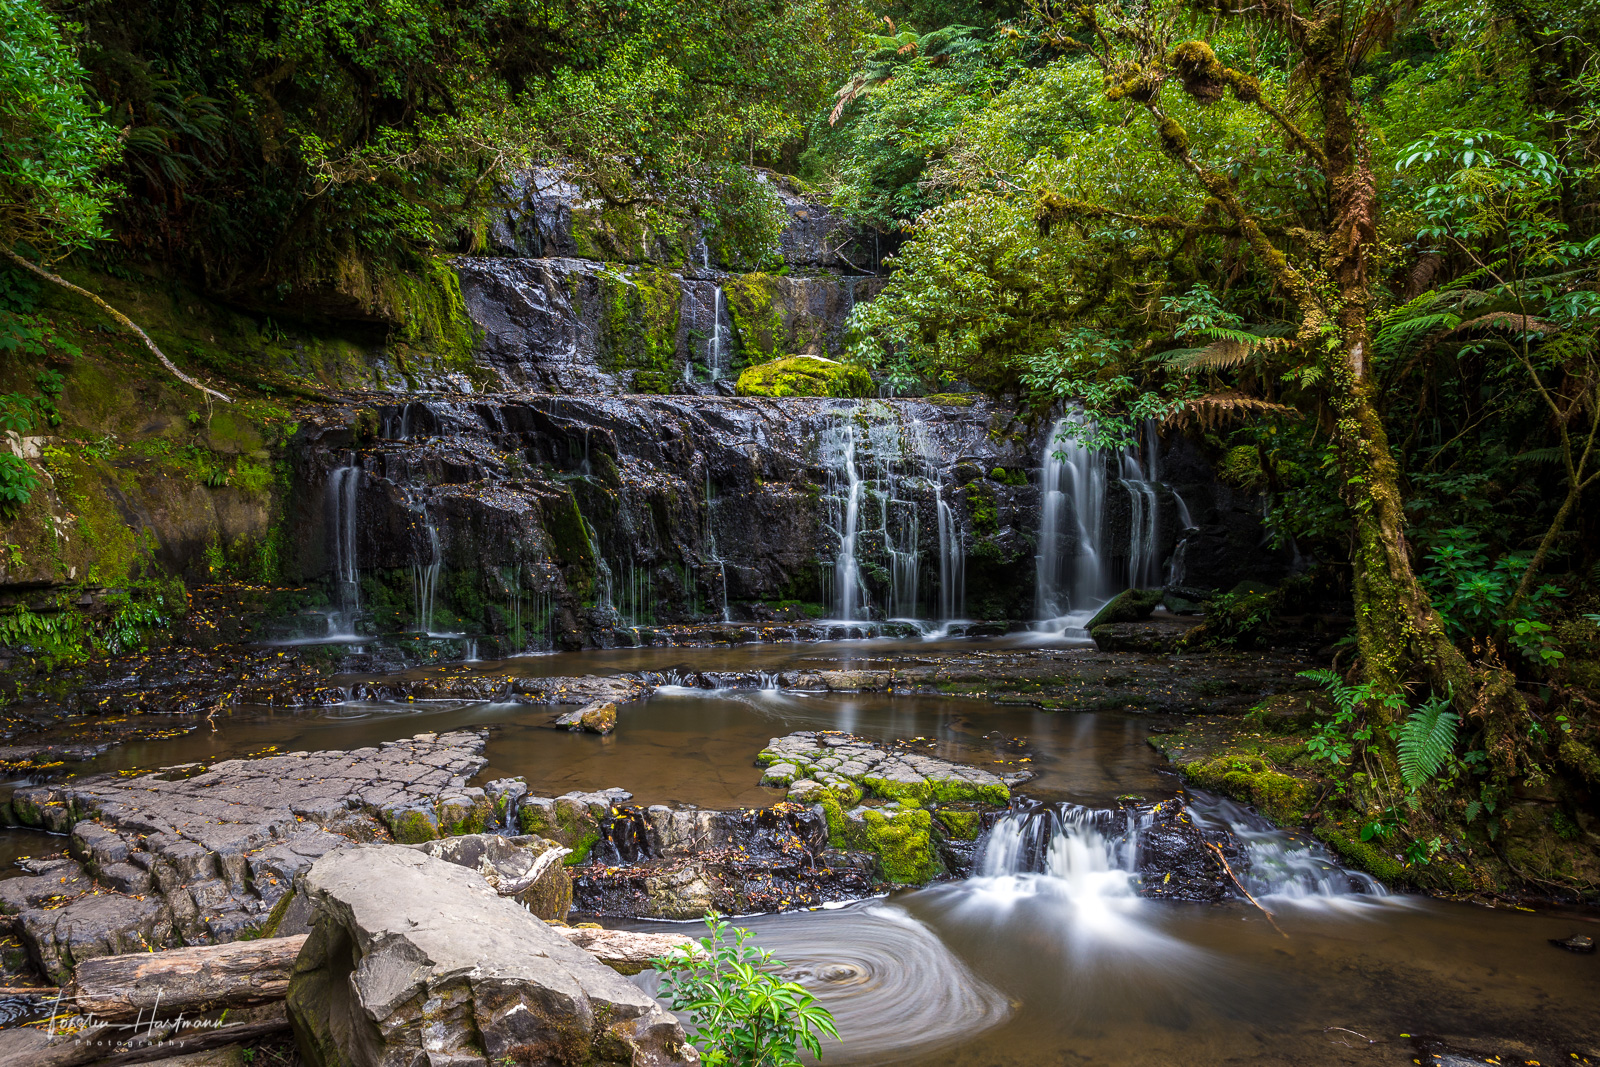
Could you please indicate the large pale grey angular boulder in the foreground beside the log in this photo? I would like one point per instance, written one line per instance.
(417, 961)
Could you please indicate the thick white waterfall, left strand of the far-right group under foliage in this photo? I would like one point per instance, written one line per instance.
(1073, 490)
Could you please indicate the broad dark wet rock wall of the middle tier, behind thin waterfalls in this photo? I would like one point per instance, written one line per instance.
(545, 522)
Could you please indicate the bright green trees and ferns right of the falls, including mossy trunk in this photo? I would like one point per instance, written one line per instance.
(1351, 247)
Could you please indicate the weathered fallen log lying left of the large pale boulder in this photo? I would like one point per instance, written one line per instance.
(185, 980)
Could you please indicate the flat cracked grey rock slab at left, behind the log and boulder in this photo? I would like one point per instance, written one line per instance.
(206, 853)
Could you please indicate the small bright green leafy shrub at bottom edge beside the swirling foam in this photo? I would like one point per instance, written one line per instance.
(743, 1017)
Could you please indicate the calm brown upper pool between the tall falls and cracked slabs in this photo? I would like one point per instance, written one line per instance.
(697, 746)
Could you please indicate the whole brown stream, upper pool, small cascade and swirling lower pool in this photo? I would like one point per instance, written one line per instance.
(1046, 956)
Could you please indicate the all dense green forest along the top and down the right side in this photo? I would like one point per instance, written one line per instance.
(1351, 249)
